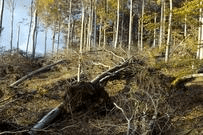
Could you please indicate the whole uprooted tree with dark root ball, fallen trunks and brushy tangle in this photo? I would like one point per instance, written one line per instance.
(148, 101)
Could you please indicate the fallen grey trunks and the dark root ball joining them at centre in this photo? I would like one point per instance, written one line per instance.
(86, 96)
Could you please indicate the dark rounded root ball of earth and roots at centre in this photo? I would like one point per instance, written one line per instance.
(84, 96)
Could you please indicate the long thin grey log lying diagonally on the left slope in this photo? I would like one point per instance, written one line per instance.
(35, 72)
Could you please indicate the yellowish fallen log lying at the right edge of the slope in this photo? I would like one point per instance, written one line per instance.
(185, 79)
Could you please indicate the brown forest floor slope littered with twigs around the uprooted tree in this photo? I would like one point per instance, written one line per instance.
(179, 110)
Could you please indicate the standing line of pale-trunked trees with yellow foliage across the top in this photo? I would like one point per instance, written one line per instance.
(134, 25)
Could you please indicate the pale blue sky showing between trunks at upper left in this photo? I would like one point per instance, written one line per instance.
(22, 21)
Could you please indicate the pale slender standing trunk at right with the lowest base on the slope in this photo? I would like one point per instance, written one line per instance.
(169, 34)
